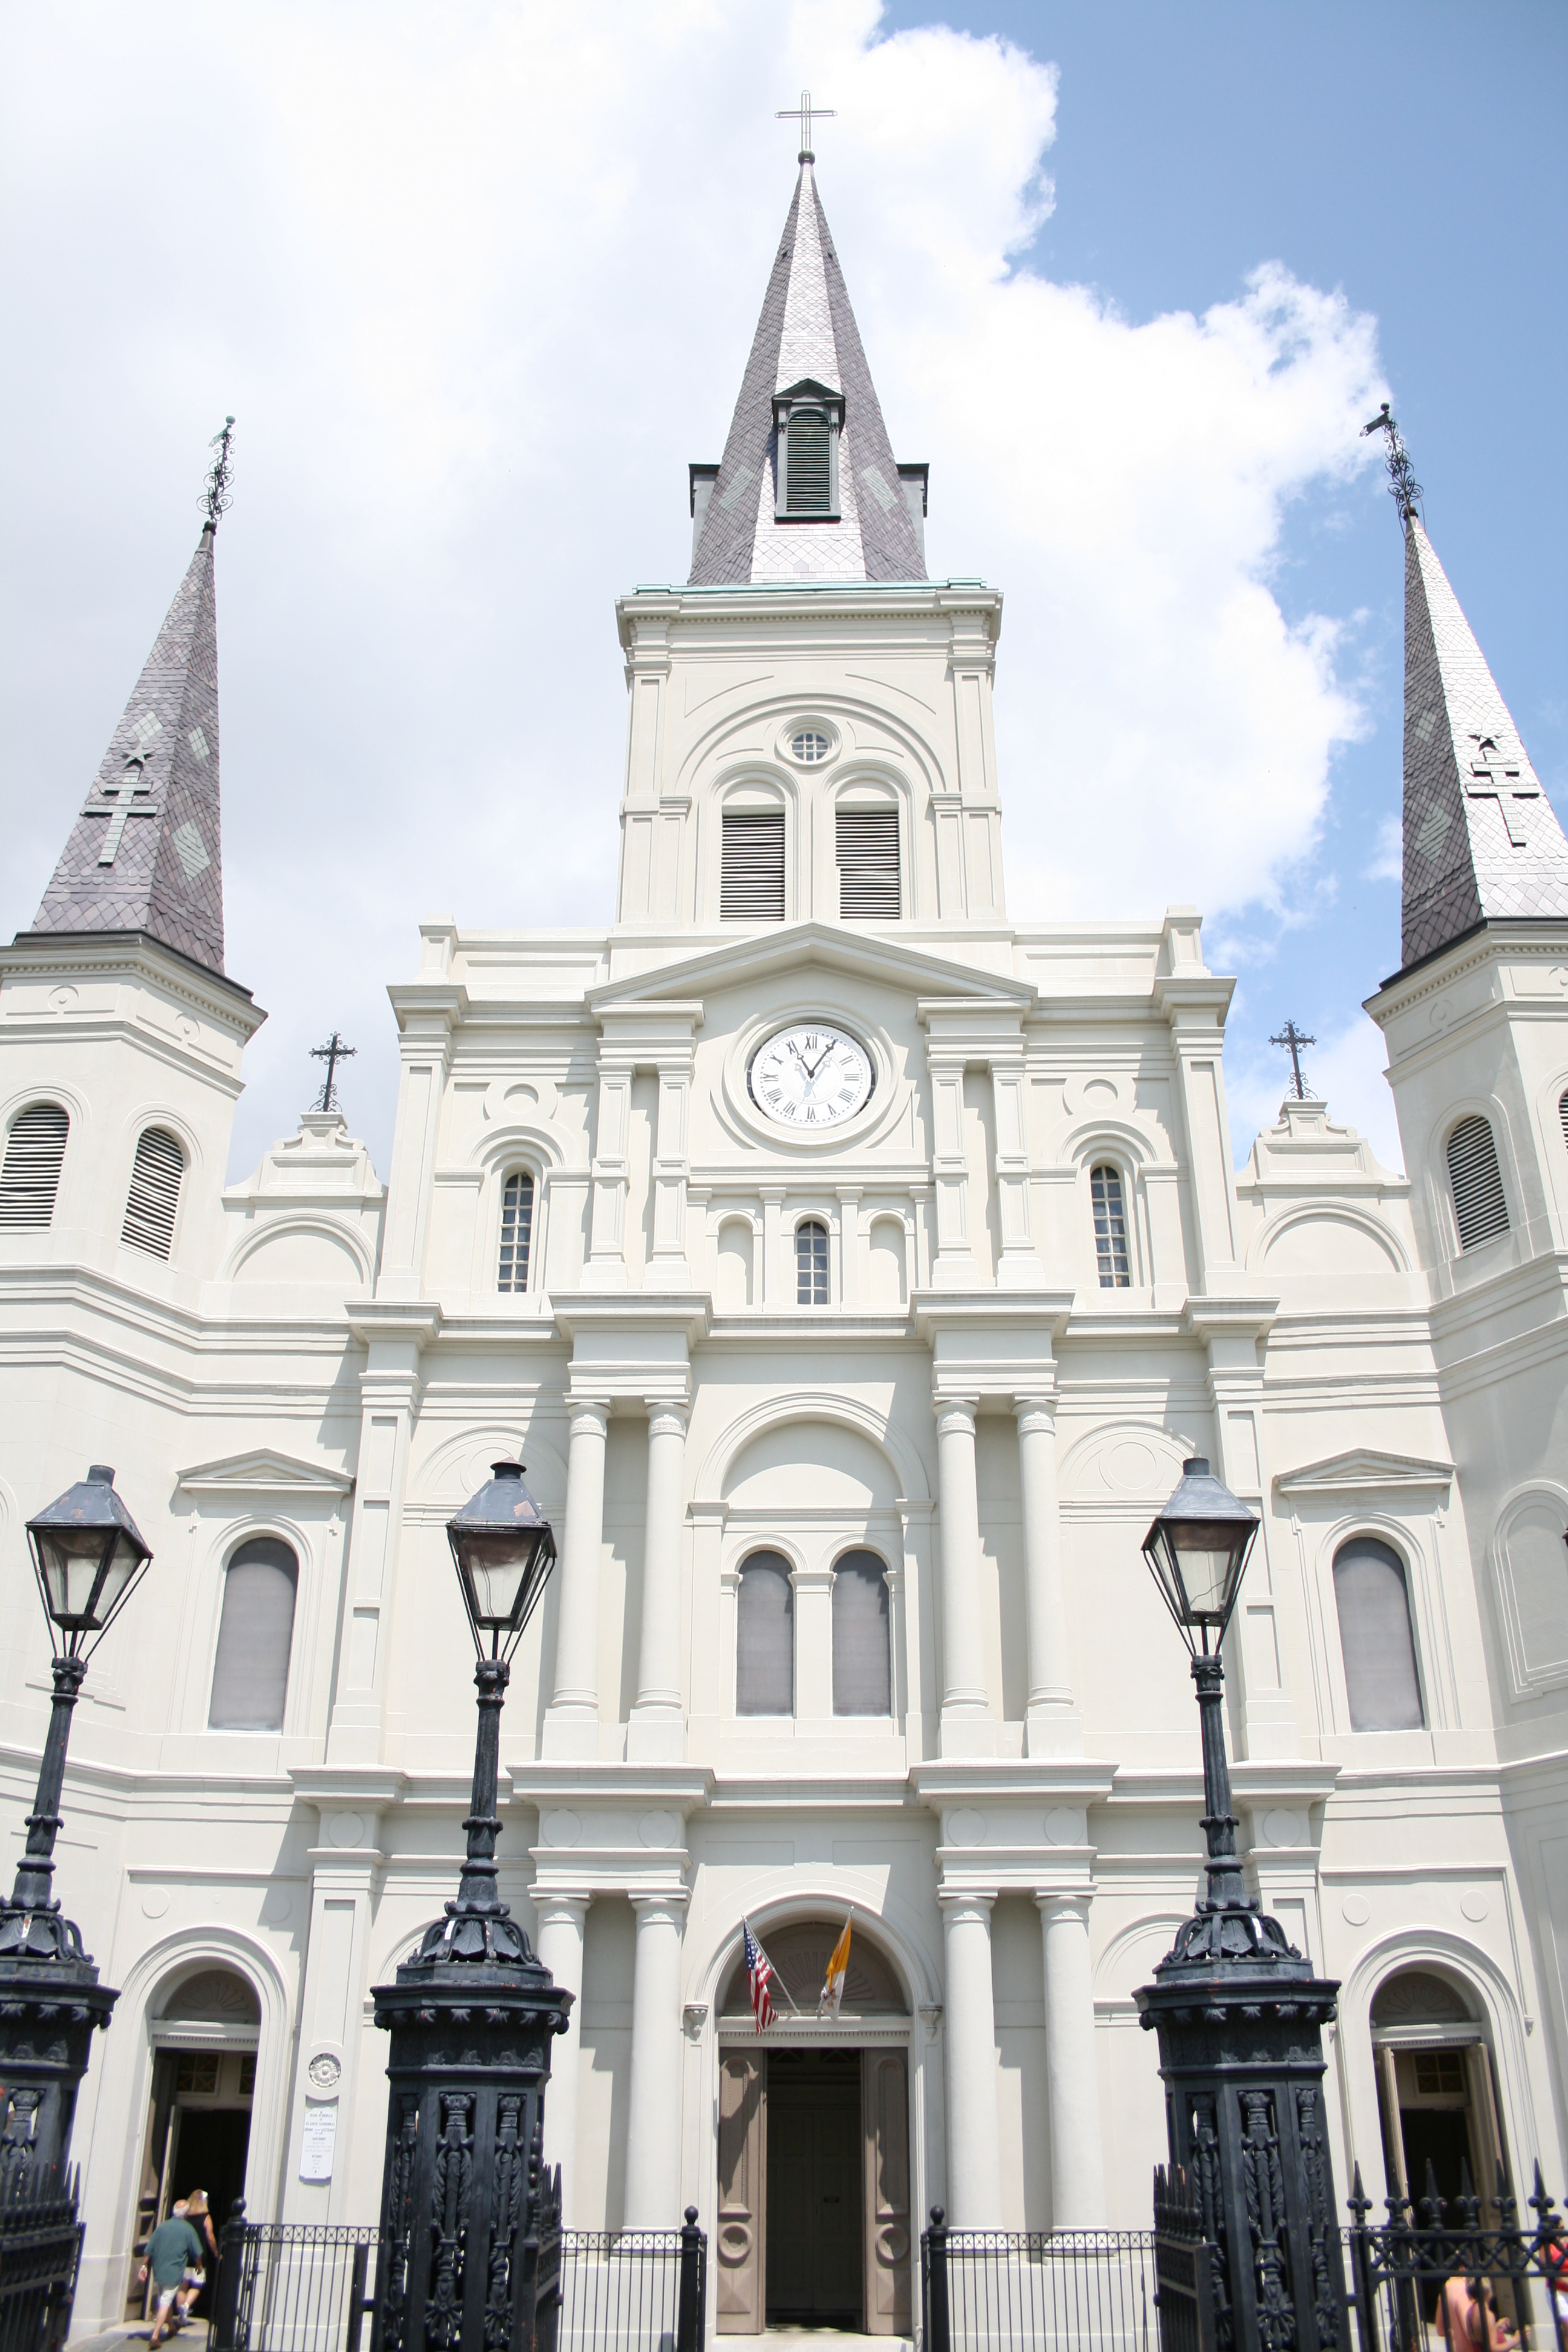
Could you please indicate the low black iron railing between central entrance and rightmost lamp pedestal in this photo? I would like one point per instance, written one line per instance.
(1059, 2292)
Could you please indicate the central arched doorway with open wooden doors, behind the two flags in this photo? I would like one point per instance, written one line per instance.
(815, 2144)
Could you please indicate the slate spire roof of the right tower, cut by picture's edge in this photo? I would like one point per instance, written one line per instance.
(1482, 841)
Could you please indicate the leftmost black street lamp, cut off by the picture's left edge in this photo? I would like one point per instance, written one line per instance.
(88, 1558)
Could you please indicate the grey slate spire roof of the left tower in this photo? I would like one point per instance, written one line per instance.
(147, 848)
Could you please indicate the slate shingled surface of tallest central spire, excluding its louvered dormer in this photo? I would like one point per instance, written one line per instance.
(808, 330)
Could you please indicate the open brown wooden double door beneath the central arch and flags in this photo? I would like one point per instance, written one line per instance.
(815, 2191)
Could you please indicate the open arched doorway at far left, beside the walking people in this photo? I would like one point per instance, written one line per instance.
(206, 2033)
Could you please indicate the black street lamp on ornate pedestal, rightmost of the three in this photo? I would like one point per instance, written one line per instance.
(1235, 2005)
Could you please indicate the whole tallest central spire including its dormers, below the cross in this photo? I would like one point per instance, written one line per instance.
(810, 488)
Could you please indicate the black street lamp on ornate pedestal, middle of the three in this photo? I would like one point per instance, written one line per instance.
(464, 2196)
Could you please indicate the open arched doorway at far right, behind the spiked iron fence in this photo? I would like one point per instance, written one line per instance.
(1435, 2087)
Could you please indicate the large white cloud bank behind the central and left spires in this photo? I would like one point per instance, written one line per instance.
(478, 283)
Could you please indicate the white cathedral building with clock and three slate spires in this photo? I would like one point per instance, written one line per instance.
(852, 1269)
